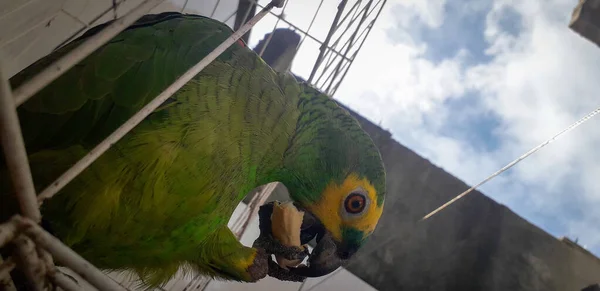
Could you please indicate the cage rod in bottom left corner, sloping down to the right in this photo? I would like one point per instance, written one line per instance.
(66, 256)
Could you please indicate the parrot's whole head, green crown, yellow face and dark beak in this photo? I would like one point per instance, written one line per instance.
(335, 174)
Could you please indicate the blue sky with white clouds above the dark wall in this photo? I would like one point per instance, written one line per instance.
(470, 85)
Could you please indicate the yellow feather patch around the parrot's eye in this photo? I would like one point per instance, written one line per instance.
(328, 209)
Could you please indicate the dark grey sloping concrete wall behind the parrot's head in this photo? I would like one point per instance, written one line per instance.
(475, 244)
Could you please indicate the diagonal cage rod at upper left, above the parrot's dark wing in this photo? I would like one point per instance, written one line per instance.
(53, 71)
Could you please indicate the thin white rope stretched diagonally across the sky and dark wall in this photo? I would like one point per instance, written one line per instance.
(514, 162)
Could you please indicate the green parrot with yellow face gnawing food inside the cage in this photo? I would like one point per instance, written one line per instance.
(159, 200)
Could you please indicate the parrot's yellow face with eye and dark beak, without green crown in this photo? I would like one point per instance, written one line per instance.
(341, 222)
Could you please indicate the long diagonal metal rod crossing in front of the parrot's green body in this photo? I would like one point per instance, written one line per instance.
(82, 164)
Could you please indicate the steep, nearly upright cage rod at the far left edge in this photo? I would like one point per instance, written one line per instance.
(15, 153)
